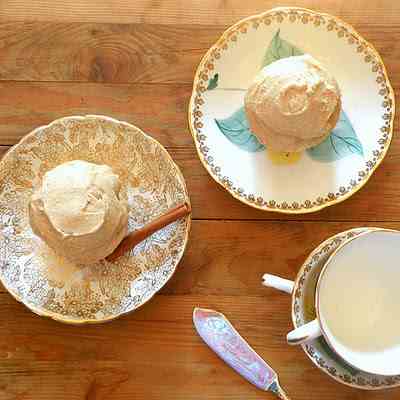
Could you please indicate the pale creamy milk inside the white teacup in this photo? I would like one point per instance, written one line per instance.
(360, 294)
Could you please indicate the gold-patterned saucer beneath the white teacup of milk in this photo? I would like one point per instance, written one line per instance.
(303, 311)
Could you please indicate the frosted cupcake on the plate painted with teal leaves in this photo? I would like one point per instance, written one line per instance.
(293, 104)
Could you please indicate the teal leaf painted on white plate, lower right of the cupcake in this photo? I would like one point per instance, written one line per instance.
(342, 142)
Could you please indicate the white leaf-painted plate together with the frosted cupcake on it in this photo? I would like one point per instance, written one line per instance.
(281, 121)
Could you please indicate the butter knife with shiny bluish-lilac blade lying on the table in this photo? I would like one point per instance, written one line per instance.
(222, 337)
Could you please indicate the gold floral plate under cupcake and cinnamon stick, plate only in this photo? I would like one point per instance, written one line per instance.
(50, 285)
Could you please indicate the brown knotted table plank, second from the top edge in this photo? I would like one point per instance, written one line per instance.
(132, 53)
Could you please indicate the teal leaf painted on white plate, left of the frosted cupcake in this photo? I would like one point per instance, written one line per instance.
(236, 129)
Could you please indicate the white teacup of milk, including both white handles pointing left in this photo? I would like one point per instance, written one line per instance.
(358, 303)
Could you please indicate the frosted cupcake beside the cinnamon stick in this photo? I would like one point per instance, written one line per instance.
(78, 211)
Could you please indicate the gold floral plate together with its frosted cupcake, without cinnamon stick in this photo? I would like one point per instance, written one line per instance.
(123, 170)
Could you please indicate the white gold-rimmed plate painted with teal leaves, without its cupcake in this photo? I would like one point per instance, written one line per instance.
(320, 176)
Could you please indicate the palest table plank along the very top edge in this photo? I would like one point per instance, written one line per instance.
(172, 12)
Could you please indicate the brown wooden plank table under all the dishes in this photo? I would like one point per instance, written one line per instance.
(135, 60)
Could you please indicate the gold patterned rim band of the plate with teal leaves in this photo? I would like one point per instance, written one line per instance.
(344, 32)
